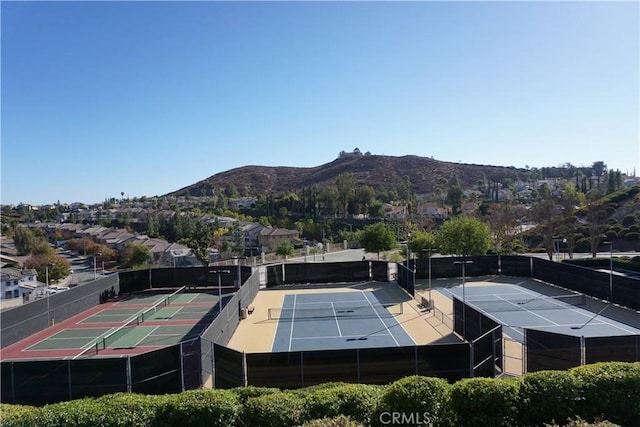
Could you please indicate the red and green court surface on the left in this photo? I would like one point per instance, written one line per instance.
(129, 325)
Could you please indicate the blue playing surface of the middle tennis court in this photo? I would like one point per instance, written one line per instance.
(337, 321)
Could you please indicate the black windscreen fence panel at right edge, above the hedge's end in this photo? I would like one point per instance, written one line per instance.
(625, 348)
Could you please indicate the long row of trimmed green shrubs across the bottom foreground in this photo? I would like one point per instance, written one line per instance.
(603, 391)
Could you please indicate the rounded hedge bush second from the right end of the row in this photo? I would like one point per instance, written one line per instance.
(547, 396)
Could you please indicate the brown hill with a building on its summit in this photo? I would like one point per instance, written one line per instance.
(379, 172)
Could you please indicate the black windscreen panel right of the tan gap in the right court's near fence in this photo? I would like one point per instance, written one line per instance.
(551, 351)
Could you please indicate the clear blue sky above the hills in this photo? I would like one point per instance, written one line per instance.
(148, 97)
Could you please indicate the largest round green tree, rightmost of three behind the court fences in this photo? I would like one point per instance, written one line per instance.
(464, 236)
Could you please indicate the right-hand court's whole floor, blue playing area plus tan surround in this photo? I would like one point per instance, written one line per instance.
(525, 304)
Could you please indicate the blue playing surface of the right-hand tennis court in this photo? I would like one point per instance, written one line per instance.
(516, 308)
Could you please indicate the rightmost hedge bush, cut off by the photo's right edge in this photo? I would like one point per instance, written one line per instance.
(609, 391)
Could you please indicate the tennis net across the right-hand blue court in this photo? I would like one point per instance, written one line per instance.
(542, 302)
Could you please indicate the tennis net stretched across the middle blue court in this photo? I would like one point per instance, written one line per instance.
(366, 311)
